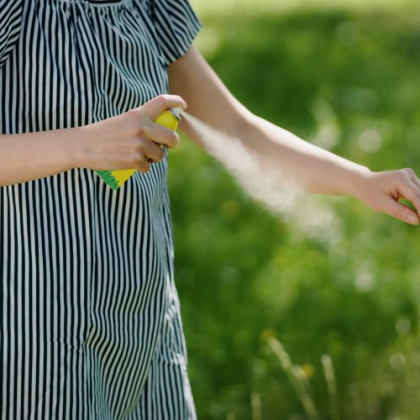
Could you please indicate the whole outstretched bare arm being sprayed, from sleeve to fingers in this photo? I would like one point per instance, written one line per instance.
(314, 169)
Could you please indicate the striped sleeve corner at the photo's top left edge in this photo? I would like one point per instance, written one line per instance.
(10, 21)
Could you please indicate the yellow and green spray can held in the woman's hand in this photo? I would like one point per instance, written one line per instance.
(115, 178)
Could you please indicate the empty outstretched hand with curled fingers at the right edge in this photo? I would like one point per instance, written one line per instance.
(382, 191)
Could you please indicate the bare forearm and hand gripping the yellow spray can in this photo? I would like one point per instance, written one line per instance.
(122, 142)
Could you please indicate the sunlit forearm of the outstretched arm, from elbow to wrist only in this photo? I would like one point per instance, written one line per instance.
(298, 163)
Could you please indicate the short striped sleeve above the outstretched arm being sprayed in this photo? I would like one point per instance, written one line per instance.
(176, 26)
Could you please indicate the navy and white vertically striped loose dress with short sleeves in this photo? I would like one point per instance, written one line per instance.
(90, 316)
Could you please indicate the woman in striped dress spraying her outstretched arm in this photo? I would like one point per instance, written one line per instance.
(90, 317)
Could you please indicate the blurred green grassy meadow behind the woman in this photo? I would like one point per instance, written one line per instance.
(275, 306)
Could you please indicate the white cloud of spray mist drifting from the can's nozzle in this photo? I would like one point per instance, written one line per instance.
(265, 182)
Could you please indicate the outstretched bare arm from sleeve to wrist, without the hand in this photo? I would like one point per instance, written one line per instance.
(292, 161)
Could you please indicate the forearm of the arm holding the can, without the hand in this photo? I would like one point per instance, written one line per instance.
(25, 157)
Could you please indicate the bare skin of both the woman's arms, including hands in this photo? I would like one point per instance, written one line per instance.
(131, 140)
